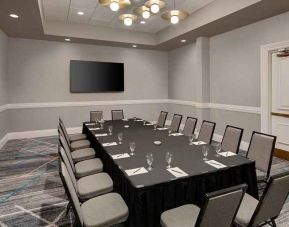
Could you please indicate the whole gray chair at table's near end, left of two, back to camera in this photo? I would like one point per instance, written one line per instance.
(220, 209)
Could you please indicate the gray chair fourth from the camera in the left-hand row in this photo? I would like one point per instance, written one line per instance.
(77, 155)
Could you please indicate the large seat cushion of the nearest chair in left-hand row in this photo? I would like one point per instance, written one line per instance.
(105, 210)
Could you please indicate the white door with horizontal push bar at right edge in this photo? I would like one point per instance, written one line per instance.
(280, 101)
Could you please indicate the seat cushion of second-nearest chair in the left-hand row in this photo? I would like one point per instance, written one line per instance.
(94, 185)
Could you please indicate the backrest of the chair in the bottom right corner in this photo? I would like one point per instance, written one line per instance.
(272, 200)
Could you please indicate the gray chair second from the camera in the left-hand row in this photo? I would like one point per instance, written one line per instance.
(89, 186)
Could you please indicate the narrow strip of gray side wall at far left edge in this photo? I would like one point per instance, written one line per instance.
(4, 126)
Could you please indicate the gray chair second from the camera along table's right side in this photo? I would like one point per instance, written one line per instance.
(232, 139)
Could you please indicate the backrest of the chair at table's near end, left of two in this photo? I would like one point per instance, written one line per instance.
(221, 207)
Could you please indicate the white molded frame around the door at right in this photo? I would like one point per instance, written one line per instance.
(266, 81)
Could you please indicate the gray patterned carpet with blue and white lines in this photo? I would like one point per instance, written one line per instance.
(31, 192)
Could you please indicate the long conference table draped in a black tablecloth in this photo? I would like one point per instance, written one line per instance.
(149, 193)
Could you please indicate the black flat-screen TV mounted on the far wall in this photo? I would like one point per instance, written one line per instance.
(92, 77)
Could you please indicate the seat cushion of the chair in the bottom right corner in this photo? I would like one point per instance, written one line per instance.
(246, 210)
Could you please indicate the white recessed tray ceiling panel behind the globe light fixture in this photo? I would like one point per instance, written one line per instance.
(95, 14)
